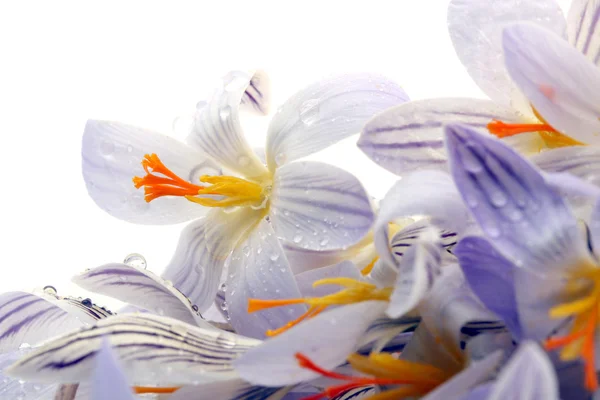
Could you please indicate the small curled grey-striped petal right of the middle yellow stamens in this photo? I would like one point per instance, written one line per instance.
(417, 273)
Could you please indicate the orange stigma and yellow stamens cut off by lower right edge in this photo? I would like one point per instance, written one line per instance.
(579, 342)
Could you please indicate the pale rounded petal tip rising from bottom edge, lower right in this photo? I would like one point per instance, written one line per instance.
(528, 375)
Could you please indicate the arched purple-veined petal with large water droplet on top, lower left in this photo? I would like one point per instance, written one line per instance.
(141, 288)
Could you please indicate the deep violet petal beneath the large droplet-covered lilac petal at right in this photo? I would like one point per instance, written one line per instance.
(490, 276)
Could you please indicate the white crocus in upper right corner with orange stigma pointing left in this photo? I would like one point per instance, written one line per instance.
(543, 91)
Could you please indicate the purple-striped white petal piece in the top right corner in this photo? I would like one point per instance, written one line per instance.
(583, 29)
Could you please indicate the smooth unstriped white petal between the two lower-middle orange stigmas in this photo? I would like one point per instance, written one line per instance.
(274, 362)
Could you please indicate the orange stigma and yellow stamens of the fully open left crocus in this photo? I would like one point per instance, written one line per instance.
(230, 191)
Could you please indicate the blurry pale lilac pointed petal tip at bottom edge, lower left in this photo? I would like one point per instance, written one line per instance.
(108, 381)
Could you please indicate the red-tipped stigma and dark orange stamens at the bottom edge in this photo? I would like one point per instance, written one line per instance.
(416, 379)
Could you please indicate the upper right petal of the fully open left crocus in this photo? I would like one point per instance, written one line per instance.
(325, 113)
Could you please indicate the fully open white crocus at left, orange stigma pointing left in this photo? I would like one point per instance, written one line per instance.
(308, 204)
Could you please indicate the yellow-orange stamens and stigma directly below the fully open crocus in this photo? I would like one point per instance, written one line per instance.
(355, 291)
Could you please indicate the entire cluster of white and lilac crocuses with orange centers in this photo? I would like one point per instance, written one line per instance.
(476, 277)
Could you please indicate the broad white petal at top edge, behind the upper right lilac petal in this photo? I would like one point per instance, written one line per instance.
(476, 30)
